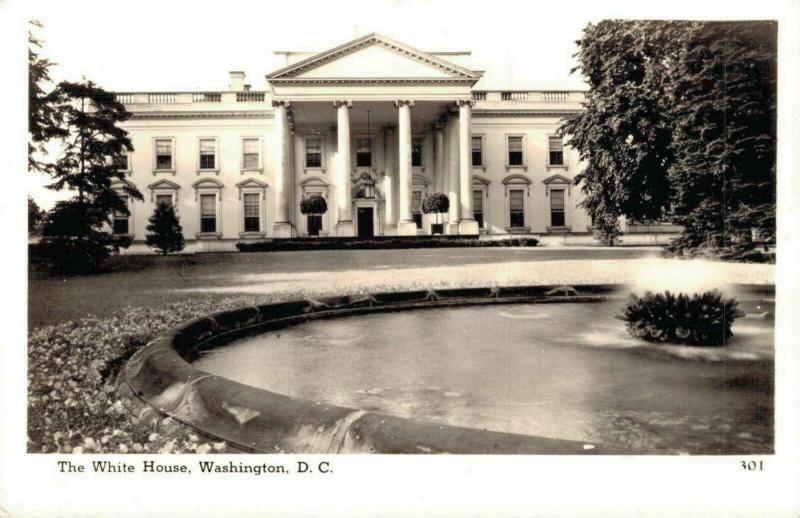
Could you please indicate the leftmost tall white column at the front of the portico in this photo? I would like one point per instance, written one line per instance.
(283, 170)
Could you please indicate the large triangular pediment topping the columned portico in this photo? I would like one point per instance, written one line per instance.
(373, 56)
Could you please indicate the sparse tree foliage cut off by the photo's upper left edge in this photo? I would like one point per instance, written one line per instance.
(44, 116)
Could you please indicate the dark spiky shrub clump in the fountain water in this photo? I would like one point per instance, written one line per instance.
(702, 319)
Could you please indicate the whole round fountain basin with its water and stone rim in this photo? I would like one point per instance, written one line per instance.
(470, 374)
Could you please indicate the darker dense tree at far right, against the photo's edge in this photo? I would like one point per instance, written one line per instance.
(724, 106)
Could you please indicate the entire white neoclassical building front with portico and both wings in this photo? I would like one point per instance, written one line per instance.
(372, 126)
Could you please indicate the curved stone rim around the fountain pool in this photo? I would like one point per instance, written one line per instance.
(160, 380)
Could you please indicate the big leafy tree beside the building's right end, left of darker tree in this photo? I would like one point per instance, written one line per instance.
(625, 134)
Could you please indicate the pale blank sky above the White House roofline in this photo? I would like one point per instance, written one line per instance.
(161, 45)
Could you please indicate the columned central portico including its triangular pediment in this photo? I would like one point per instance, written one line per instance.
(388, 108)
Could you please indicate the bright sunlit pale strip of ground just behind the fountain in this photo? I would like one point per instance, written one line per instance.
(643, 274)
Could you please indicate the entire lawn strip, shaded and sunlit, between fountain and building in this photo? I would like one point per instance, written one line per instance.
(152, 281)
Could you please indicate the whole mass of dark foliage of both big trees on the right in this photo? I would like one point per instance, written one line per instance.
(680, 125)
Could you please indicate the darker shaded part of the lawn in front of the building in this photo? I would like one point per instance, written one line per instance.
(156, 281)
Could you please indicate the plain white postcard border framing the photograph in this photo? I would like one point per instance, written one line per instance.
(422, 485)
